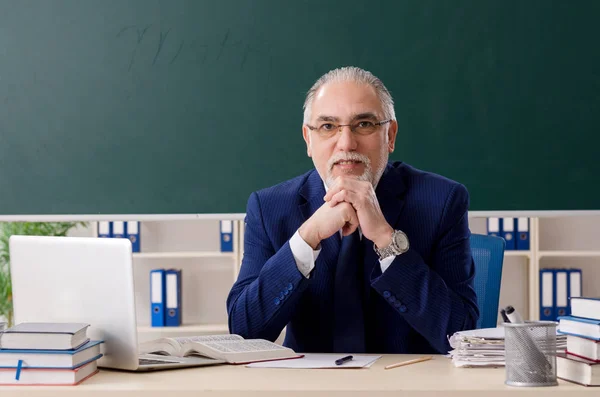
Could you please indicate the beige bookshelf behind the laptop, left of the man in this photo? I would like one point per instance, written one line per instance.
(192, 245)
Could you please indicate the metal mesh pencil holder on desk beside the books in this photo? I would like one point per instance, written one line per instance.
(530, 353)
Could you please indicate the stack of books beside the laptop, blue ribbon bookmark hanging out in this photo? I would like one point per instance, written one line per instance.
(47, 354)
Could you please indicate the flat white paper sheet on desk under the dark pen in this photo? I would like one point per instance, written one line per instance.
(313, 360)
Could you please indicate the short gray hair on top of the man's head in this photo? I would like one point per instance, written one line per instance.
(358, 75)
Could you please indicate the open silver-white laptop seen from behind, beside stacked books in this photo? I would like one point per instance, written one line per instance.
(89, 280)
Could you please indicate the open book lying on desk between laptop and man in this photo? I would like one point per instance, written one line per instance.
(232, 348)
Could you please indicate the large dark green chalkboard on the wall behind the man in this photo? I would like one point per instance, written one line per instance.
(161, 107)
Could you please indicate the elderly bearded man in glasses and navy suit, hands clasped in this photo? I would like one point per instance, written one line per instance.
(359, 255)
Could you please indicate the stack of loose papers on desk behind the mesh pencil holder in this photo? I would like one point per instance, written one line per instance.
(484, 347)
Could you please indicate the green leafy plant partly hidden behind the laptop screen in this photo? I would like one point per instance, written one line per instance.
(8, 229)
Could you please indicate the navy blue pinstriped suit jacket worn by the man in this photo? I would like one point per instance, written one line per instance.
(426, 293)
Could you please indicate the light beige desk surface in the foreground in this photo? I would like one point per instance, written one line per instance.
(431, 378)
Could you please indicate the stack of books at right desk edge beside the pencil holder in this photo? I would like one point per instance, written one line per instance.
(581, 362)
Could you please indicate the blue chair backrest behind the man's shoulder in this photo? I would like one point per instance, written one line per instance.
(488, 255)
